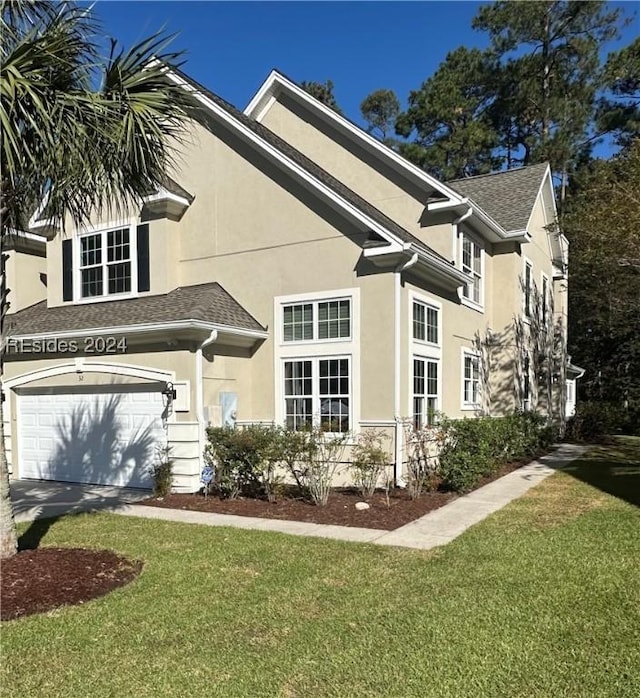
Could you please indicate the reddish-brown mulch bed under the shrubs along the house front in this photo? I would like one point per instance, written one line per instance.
(340, 509)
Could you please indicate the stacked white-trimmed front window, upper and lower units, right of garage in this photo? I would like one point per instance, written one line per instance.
(316, 349)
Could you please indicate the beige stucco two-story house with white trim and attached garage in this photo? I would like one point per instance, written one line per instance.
(294, 270)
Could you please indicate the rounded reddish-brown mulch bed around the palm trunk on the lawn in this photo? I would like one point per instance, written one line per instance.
(37, 581)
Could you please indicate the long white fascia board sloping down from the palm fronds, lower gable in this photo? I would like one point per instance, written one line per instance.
(280, 157)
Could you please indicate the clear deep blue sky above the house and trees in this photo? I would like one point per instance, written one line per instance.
(360, 46)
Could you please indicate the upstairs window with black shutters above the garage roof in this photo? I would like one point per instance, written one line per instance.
(106, 263)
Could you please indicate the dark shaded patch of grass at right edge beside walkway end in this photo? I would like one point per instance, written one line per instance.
(614, 469)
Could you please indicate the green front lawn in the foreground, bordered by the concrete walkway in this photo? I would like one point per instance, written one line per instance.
(541, 599)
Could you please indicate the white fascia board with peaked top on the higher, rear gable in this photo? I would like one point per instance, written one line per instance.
(277, 81)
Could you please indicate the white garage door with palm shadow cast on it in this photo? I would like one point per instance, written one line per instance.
(106, 438)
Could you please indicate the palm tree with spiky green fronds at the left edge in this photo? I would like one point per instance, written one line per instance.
(82, 133)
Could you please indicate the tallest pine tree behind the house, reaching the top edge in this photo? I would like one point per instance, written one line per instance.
(548, 52)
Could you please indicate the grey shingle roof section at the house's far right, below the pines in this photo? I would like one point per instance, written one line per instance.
(508, 197)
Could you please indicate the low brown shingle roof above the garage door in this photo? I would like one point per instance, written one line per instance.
(205, 302)
